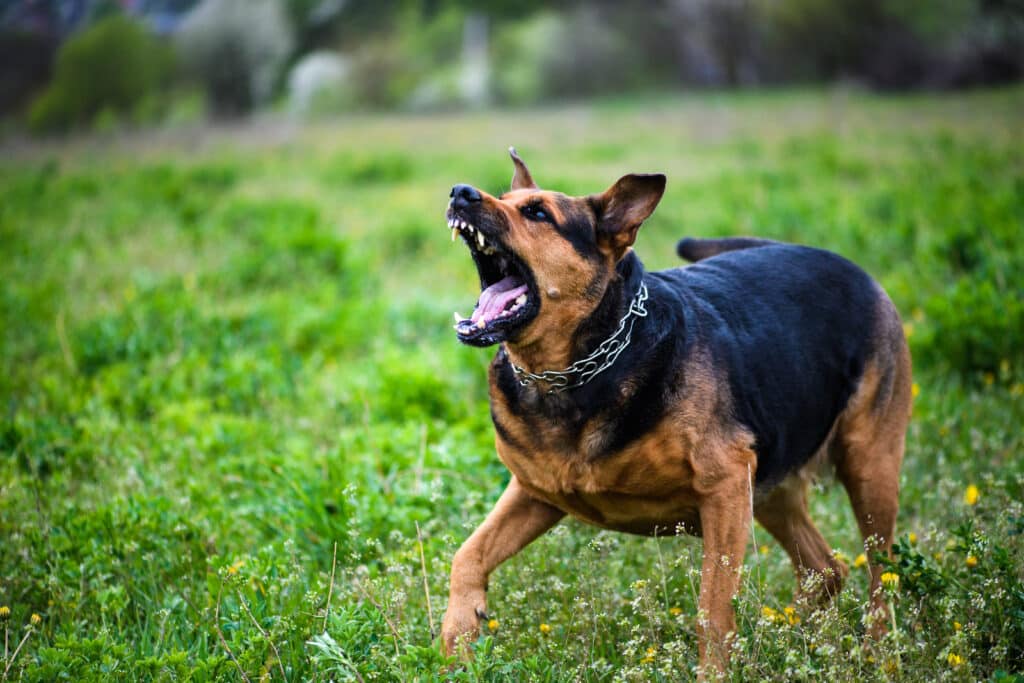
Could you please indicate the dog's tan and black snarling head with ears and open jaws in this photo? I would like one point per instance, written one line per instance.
(544, 259)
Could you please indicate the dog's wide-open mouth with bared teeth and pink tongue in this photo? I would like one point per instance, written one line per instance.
(508, 298)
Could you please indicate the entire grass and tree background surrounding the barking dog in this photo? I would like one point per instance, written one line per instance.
(238, 438)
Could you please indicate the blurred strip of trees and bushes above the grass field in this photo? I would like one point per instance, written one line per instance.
(100, 64)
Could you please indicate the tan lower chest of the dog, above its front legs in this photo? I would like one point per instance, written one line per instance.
(646, 488)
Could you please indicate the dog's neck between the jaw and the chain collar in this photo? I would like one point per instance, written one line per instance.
(561, 352)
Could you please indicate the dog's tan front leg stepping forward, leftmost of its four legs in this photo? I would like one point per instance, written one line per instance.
(516, 522)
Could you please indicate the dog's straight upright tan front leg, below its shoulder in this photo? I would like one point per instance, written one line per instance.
(726, 521)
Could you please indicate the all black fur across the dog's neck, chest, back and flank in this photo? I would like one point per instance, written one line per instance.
(790, 329)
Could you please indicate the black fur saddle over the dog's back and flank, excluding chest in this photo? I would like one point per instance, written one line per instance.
(794, 327)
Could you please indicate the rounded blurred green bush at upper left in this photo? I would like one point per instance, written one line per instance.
(111, 68)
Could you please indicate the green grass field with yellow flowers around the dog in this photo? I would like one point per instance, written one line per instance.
(239, 440)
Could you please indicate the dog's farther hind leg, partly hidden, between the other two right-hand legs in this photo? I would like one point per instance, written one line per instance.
(784, 513)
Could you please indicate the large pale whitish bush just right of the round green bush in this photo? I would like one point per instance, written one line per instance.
(237, 49)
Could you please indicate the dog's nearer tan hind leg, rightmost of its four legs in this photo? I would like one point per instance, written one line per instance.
(870, 444)
